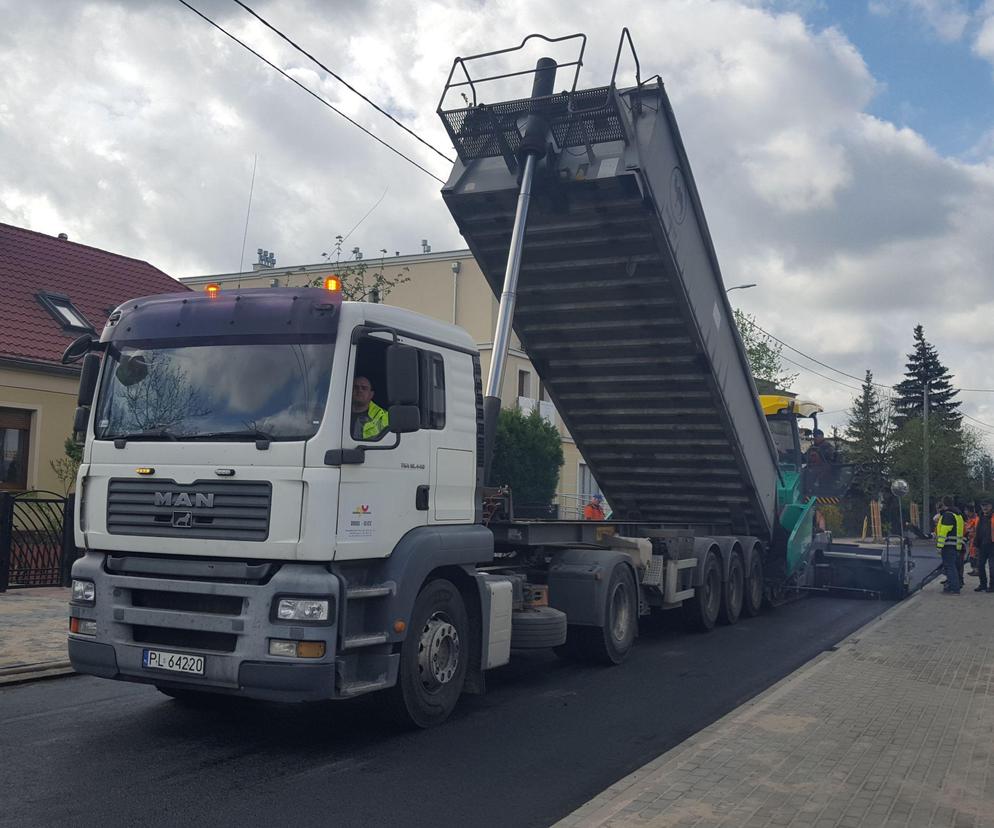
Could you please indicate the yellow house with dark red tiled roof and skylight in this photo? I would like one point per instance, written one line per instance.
(52, 291)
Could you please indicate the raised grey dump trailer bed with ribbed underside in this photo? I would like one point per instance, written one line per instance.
(620, 303)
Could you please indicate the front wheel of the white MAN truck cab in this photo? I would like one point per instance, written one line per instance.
(433, 657)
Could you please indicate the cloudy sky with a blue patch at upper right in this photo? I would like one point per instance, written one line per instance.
(844, 149)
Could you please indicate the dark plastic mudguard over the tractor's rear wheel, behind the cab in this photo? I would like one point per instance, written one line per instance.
(578, 582)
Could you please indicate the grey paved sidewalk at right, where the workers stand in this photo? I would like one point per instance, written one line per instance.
(895, 727)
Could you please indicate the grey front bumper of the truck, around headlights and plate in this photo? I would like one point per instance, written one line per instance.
(228, 623)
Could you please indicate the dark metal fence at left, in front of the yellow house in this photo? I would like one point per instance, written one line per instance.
(36, 539)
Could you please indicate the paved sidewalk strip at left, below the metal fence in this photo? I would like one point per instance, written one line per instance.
(34, 623)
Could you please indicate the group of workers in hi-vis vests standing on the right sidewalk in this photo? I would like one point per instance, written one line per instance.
(962, 534)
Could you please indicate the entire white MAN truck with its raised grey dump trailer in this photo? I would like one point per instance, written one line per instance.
(237, 539)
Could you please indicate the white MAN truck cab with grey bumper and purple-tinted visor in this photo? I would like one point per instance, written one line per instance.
(238, 535)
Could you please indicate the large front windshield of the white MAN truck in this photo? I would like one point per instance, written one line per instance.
(244, 391)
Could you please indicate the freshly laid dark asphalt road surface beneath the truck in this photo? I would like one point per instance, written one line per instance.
(547, 737)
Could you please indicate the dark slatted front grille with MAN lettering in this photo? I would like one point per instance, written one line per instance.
(212, 509)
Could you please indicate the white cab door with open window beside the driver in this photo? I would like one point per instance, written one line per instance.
(386, 495)
